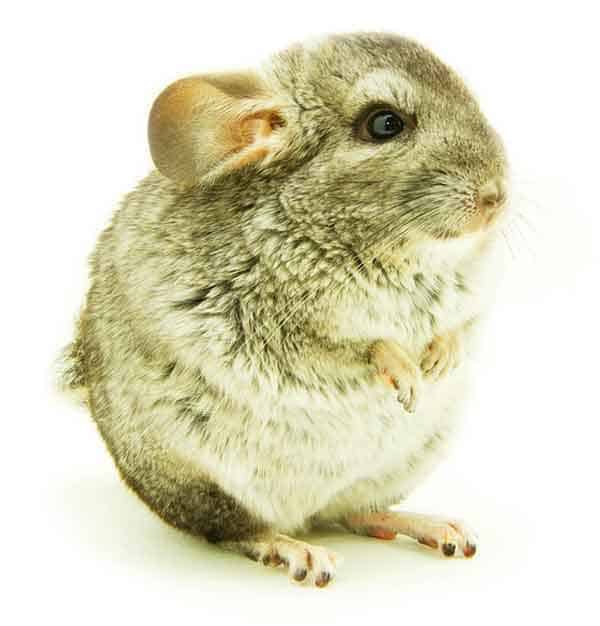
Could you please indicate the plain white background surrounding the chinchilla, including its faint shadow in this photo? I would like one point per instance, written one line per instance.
(78, 80)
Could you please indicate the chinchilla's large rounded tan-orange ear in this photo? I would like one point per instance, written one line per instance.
(207, 124)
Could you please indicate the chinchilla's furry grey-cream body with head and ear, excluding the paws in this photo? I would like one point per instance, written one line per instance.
(225, 348)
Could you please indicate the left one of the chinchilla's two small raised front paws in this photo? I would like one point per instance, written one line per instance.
(399, 371)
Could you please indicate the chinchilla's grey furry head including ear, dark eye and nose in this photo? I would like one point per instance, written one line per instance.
(365, 139)
